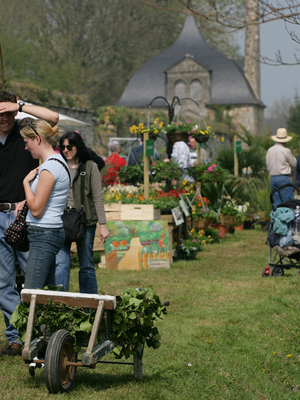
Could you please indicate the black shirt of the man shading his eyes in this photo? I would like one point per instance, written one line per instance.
(15, 164)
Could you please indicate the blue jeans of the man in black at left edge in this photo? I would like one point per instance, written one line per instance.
(9, 260)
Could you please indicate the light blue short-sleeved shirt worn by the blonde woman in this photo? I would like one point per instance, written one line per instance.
(58, 196)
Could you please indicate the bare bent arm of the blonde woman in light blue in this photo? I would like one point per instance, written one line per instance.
(37, 202)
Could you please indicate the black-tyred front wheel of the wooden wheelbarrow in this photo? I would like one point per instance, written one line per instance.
(59, 376)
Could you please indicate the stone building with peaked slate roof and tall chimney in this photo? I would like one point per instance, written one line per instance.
(191, 68)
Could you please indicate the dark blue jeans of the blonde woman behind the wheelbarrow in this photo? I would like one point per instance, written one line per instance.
(44, 244)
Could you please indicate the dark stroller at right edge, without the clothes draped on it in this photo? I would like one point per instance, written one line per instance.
(281, 258)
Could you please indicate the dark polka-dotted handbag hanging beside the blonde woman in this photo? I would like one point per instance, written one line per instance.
(16, 234)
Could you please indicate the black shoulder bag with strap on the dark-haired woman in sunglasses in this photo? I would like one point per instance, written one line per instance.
(75, 221)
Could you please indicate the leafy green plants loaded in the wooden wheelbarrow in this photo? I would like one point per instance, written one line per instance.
(133, 321)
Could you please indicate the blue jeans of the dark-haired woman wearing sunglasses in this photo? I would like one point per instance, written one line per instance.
(87, 274)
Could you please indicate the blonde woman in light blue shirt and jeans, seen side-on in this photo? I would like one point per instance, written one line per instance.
(46, 190)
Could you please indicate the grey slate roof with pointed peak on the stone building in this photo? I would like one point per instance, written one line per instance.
(228, 83)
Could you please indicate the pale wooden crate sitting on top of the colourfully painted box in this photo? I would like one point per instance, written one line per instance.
(139, 212)
